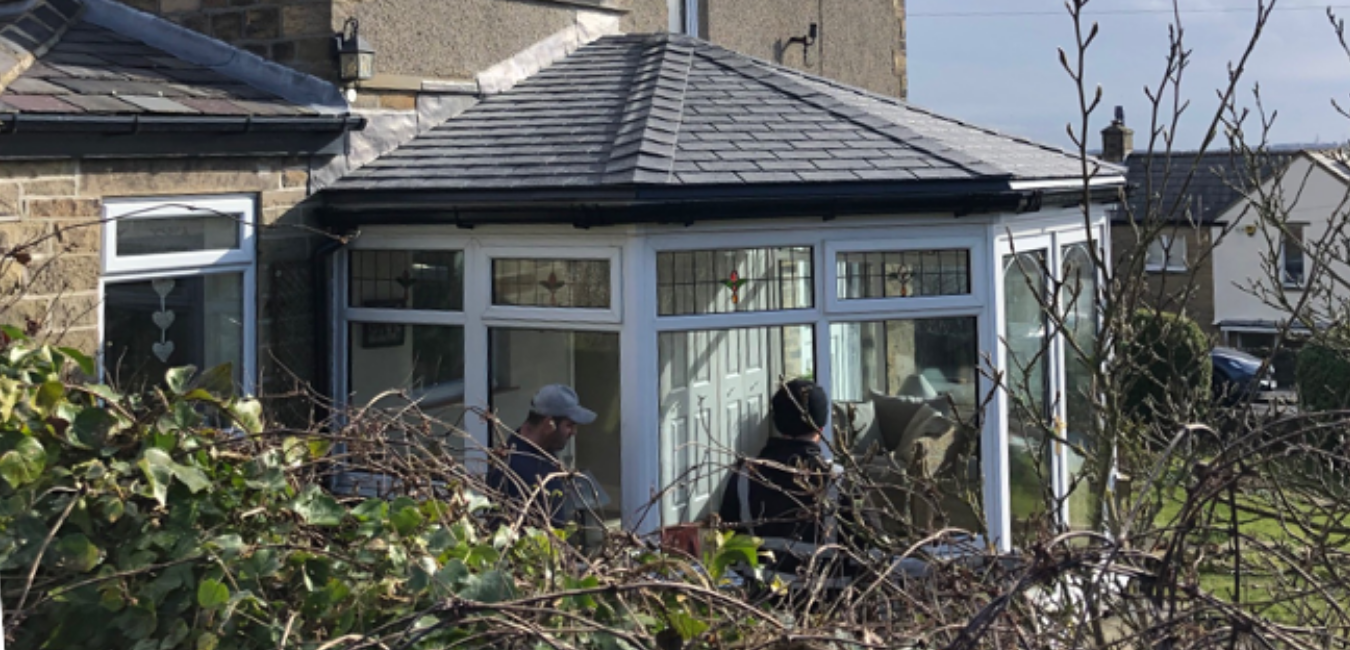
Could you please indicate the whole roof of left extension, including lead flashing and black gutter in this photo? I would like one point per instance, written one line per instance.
(67, 63)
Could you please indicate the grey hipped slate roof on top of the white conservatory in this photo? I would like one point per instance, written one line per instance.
(676, 111)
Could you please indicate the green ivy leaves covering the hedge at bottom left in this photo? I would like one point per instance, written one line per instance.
(157, 522)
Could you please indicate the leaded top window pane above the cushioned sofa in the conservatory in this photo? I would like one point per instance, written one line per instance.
(905, 274)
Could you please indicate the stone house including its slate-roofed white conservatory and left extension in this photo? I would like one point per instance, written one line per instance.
(665, 224)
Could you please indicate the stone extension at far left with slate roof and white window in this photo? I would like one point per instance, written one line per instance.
(156, 182)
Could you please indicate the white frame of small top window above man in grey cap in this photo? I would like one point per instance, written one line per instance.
(551, 316)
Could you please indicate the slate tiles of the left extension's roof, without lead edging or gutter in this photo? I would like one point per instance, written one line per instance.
(56, 61)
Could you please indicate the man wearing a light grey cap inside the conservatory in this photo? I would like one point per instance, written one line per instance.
(554, 416)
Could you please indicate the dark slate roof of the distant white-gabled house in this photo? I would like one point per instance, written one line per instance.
(1179, 197)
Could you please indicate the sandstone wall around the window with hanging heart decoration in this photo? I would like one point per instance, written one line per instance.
(59, 206)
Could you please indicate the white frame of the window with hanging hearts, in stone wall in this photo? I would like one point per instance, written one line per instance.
(242, 260)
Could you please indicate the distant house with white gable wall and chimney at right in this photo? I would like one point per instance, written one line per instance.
(1216, 259)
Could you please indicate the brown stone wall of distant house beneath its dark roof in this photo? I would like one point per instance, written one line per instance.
(1189, 293)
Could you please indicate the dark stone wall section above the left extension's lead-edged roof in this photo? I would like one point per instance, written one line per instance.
(296, 33)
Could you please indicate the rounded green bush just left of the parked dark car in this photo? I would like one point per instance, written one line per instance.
(1167, 366)
